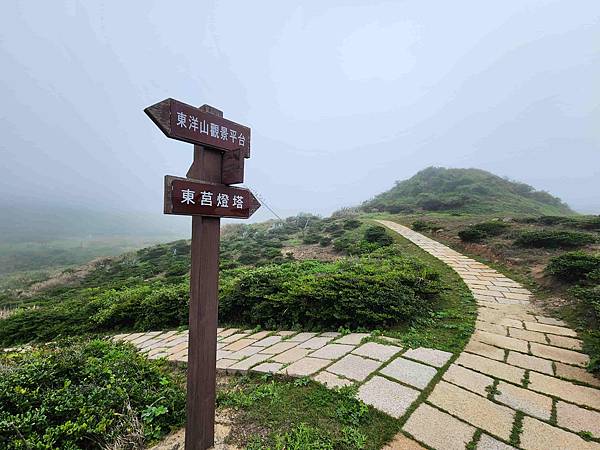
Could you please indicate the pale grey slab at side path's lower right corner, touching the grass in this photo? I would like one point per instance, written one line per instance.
(387, 396)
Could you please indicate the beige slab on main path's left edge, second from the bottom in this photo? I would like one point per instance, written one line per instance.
(438, 429)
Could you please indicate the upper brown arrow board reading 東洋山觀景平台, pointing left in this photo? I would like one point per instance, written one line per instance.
(199, 126)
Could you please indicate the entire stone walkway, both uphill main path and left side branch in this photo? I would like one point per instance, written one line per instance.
(519, 383)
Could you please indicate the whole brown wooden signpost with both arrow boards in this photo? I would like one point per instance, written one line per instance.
(219, 151)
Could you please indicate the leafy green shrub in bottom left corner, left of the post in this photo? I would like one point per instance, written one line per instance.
(90, 395)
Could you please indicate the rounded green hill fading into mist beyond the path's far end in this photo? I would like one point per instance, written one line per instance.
(472, 191)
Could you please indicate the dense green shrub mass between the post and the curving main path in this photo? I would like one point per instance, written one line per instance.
(378, 289)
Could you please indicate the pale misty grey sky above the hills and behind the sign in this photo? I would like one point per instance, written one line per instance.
(343, 97)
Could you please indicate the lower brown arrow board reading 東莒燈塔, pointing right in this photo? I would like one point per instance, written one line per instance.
(188, 197)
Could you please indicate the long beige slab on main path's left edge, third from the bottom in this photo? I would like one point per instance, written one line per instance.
(472, 408)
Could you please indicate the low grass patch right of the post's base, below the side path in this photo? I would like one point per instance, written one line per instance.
(282, 413)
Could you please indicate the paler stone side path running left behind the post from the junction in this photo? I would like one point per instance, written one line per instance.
(388, 376)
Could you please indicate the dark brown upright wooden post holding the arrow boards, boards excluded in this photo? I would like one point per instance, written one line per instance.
(204, 288)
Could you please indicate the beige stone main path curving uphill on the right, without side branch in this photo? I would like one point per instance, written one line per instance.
(521, 374)
